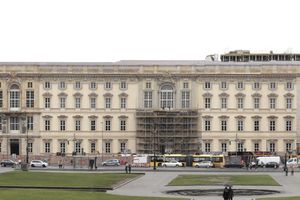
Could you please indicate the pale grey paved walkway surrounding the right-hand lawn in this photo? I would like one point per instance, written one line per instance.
(154, 184)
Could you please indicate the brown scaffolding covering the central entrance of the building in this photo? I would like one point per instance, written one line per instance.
(167, 131)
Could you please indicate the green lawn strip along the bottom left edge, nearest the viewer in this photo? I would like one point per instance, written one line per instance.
(63, 195)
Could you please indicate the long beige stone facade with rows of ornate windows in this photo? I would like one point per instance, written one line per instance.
(92, 107)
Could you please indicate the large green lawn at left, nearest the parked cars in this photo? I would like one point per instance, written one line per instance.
(20, 178)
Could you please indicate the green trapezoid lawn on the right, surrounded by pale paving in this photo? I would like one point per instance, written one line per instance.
(185, 180)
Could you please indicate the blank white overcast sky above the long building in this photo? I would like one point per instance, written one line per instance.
(111, 30)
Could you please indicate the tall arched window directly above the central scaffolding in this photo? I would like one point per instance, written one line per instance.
(166, 96)
